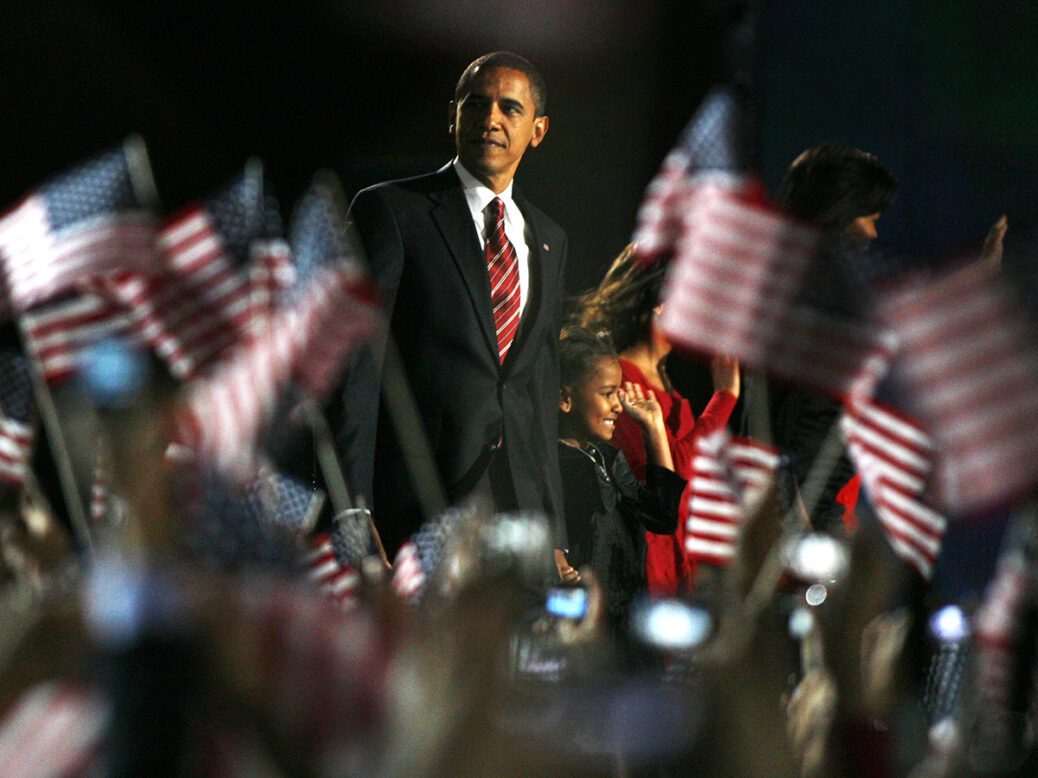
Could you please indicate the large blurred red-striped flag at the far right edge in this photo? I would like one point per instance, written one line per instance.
(969, 364)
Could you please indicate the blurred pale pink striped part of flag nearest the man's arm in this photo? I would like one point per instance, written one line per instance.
(306, 347)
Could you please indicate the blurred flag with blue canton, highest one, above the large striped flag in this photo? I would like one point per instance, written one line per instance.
(711, 157)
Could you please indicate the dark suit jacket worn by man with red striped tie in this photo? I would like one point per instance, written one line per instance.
(425, 256)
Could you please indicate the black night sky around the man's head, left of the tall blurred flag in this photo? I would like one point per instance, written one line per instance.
(362, 89)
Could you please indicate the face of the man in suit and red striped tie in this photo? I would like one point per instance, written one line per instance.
(495, 123)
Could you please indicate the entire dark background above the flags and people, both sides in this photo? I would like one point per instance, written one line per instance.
(941, 91)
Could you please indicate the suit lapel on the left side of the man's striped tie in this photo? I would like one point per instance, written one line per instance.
(455, 223)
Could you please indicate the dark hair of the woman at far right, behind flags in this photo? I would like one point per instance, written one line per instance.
(832, 185)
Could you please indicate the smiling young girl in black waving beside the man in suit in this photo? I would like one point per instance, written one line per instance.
(608, 510)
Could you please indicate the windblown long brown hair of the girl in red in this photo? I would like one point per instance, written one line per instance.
(623, 303)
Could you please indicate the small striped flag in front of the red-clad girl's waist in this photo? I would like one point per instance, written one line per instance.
(728, 474)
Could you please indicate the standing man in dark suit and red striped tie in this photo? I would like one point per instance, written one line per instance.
(471, 276)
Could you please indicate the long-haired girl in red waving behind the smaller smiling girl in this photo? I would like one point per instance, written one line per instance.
(626, 304)
